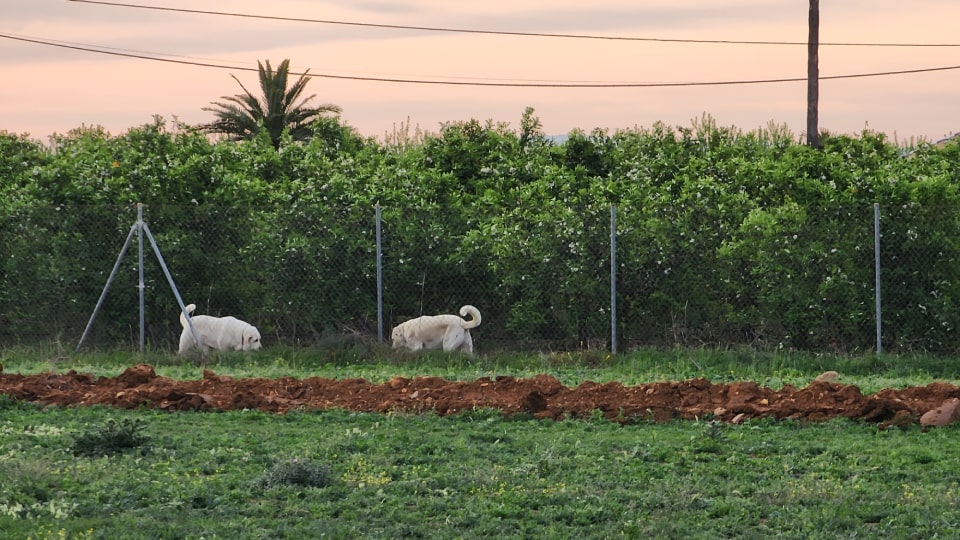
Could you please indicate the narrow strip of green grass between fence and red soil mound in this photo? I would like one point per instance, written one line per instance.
(378, 364)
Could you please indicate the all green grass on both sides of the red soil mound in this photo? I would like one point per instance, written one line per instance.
(103, 473)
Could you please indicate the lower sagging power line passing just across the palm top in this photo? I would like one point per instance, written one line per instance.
(120, 52)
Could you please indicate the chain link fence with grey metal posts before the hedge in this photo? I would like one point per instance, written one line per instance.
(597, 278)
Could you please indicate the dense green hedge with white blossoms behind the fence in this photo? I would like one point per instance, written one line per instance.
(723, 237)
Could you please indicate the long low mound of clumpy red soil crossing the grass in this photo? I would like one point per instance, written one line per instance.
(542, 396)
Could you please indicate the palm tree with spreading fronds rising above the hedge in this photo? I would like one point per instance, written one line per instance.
(242, 116)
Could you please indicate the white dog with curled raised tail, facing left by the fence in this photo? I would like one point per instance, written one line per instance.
(438, 331)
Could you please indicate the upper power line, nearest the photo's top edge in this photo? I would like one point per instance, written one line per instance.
(504, 33)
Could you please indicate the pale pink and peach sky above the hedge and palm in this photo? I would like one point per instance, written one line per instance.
(52, 90)
